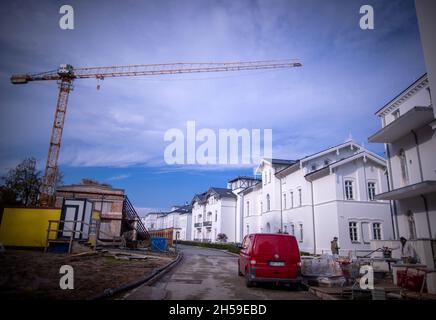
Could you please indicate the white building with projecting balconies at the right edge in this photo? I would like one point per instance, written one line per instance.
(408, 132)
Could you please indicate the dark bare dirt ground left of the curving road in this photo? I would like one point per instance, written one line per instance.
(35, 275)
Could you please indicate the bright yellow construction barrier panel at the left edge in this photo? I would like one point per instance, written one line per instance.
(27, 227)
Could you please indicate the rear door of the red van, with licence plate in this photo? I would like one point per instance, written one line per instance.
(277, 256)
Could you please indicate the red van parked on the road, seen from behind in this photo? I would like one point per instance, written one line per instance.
(267, 257)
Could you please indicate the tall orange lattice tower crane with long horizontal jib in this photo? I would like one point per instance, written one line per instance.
(65, 75)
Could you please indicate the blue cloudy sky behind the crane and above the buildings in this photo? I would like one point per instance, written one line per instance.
(115, 134)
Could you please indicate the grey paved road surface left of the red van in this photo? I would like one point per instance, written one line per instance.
(207, 274)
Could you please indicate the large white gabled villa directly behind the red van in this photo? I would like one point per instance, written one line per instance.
(327, 194)
